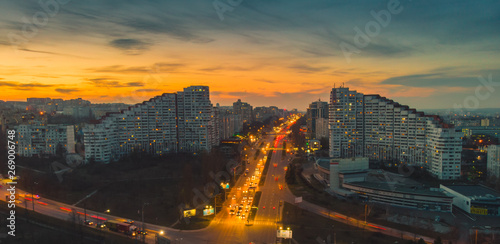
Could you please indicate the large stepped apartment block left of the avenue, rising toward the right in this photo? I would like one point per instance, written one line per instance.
(182, 122)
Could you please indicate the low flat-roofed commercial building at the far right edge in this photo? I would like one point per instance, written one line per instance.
(474, 199)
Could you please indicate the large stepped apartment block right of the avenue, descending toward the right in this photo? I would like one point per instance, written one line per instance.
(381, 129)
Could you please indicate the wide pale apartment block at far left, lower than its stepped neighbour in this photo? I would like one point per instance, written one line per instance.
(41, 139)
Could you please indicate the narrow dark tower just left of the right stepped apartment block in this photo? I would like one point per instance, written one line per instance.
(316, 115)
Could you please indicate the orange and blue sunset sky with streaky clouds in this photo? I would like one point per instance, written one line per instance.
(285, 53)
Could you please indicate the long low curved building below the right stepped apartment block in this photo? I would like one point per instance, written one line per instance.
(350, 177)
